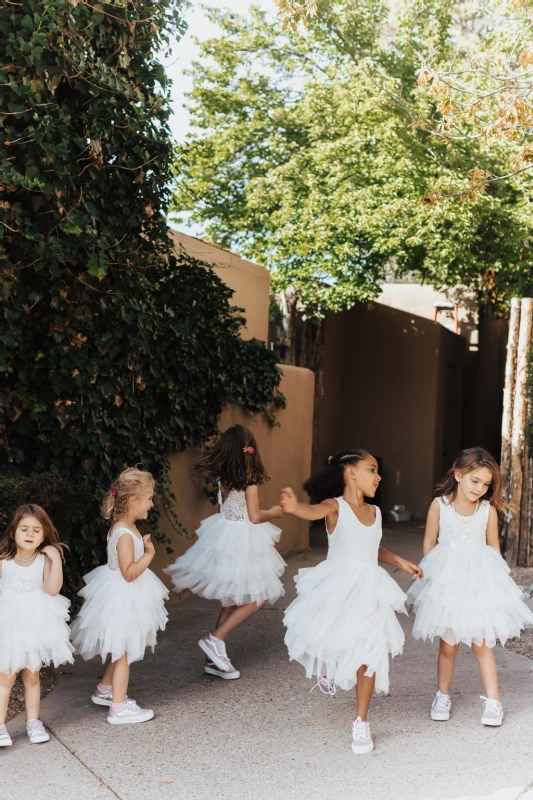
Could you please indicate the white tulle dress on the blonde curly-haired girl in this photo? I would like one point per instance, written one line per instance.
(119, 617)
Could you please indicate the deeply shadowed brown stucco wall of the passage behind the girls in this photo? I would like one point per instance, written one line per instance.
(392, 386)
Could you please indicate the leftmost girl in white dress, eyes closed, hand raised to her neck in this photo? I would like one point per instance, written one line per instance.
(33, 615)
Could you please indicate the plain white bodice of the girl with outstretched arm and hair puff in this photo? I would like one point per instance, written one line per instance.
(353, 541)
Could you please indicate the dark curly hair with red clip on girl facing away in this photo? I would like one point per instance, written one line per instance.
(234, 460)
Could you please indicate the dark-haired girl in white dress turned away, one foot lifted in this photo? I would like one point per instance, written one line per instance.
(234, 560)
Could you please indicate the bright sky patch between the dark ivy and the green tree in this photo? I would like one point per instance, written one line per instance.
(186, 51)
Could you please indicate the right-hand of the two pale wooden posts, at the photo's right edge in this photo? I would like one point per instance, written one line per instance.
(518, 425)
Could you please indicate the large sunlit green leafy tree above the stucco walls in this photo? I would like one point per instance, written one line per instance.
(302, 158)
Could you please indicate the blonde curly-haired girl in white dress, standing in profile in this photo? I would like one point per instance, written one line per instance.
(123, 601)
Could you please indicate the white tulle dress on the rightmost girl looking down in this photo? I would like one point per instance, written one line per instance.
(467, 594)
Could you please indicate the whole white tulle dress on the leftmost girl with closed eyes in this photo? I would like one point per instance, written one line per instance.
(33, 624)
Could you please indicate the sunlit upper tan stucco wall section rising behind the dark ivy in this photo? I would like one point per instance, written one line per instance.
(250, 282)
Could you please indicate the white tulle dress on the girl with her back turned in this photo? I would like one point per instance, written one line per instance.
(234, 560)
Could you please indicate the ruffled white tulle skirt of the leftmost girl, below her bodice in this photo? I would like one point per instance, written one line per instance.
(33, 631)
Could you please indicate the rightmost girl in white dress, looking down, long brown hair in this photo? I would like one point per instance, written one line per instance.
(467, 594)
